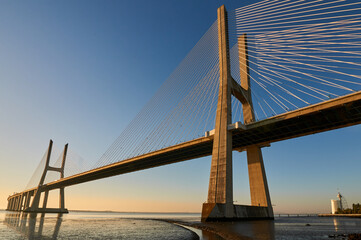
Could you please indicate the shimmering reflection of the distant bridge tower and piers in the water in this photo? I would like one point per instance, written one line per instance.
(31, 225)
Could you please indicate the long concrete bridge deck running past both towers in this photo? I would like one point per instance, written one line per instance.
(336, 113)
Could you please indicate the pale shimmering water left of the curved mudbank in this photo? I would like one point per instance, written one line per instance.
(90, 225)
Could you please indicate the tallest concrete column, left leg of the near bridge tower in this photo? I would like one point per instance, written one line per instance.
(220, 192)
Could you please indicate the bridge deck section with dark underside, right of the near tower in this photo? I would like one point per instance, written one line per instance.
(337, 113)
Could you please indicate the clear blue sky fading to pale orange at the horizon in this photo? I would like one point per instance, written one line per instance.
(79, 71)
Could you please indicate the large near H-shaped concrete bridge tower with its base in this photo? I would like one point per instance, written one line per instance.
(219, 205)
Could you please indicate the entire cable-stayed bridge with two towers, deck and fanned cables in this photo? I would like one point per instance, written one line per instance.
(262, 73)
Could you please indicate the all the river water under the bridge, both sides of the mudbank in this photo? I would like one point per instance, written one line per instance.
(104, 225)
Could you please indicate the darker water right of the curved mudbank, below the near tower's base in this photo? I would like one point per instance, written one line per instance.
(290, 228)
